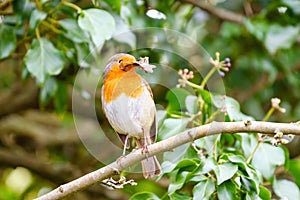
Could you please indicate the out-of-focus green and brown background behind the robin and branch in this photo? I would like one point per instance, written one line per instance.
(40, 146)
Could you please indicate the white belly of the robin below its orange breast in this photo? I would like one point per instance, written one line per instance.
(131, 116)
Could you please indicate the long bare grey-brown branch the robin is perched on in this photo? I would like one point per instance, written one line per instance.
(167, 145)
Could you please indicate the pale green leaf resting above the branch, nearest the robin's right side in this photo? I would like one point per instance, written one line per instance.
(171, 127)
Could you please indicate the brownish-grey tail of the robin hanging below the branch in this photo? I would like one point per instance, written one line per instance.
(151, 167)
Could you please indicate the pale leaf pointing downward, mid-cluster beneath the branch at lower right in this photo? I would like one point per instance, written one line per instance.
(225, 171)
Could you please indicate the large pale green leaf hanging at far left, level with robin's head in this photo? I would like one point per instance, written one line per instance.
(43, 59)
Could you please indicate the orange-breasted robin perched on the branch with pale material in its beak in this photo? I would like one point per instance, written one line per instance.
(127, 101)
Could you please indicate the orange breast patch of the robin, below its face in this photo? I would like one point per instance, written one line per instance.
(120, 82)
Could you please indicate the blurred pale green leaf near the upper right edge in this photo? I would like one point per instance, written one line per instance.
(280, 37)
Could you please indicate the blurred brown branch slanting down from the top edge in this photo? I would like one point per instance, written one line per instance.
(218, 12)
